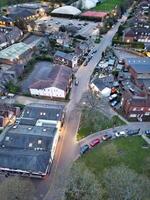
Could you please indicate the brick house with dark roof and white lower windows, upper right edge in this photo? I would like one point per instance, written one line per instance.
(137, 34)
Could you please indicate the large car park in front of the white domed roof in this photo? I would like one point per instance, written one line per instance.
(53, 23)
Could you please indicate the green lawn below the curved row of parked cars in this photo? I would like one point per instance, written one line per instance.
(127, 151)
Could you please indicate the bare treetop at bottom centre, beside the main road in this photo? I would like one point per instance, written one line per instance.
(82, 185)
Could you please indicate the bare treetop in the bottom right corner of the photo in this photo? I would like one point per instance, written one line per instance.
(123, 183)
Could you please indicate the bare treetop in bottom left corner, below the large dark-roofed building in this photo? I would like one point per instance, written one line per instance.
(16, 188)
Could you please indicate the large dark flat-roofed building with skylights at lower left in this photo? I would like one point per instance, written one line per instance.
(28, 147)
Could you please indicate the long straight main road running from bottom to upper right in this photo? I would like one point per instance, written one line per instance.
(68, 148)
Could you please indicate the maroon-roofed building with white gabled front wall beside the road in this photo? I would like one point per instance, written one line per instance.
(56, 86)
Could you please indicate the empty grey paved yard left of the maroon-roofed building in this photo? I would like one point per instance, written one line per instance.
(41, 71)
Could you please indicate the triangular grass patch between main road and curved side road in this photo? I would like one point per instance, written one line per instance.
(92, 122)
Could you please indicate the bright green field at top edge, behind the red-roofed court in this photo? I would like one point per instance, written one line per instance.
(107, 5)
